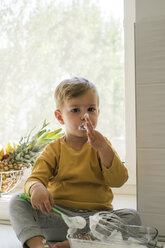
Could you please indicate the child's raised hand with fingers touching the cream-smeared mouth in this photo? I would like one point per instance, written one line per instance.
(95, 138)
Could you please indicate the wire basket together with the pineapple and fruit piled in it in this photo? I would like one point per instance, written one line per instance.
(15, 158)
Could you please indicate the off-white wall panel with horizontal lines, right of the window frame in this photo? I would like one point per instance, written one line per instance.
(150, 111)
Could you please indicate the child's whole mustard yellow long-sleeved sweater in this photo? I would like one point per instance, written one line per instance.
(77, 179)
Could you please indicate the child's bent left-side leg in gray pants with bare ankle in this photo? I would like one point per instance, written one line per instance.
(32, 226)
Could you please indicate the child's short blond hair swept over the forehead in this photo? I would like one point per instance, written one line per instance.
(70, 88)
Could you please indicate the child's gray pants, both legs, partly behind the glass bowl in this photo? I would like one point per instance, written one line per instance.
(28, 222)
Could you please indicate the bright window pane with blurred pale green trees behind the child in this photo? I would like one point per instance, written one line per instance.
(43, 42)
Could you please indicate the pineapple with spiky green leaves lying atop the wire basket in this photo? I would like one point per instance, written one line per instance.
(25, 153)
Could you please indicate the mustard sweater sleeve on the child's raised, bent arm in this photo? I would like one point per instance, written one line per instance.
(117, 174)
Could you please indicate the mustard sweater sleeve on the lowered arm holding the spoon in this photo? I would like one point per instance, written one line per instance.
(44, 168)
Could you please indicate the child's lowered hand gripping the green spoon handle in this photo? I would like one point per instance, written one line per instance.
(41, 198)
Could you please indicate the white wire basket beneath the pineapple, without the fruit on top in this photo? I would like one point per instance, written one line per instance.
(9, 180)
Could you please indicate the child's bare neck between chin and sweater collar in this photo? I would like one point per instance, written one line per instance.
(75, 142)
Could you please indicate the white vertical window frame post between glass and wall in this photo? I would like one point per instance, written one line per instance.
(130, 119)
